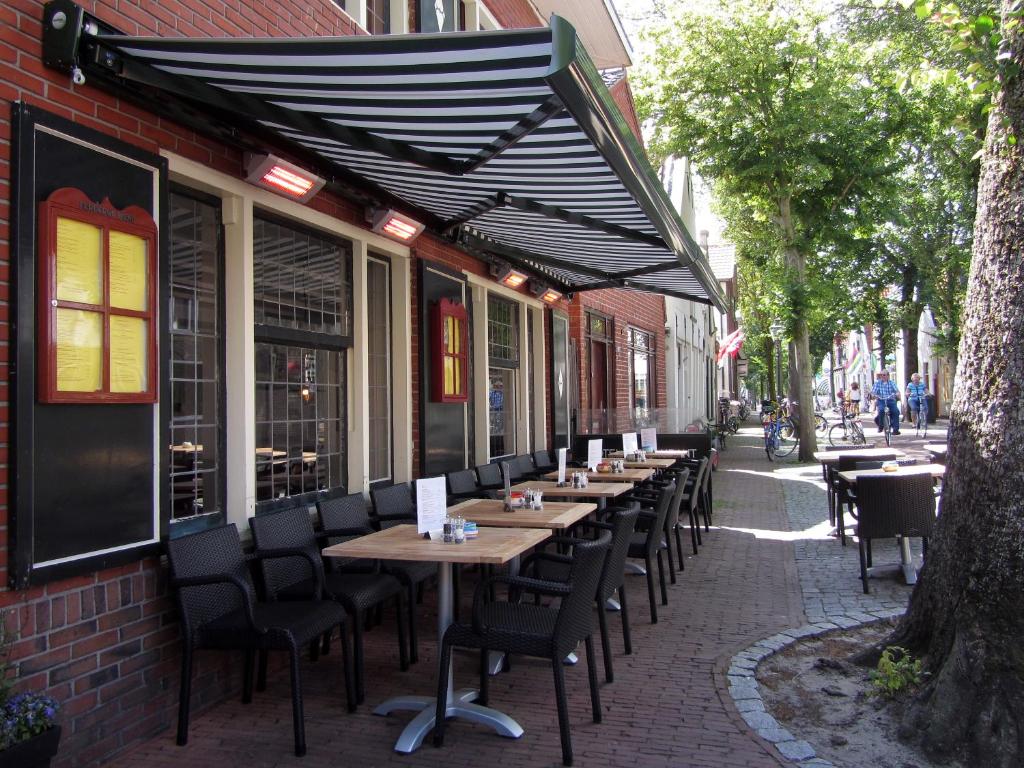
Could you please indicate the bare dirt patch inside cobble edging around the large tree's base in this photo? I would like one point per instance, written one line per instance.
(815, 692)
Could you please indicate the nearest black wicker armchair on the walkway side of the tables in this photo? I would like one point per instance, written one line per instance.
(534, 631)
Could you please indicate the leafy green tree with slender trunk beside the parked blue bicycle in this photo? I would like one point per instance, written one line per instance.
(777, 113)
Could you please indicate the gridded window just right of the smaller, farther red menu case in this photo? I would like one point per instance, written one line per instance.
(503, 353)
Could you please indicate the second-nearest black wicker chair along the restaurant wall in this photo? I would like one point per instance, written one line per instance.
(294, 578)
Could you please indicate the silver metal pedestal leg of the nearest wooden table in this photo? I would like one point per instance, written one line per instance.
(459, 703)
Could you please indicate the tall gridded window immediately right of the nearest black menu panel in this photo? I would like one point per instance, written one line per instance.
(197, 482)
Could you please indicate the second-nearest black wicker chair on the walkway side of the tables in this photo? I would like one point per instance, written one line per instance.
(556, 568)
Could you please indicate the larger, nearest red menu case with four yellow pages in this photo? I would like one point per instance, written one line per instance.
(97, 306)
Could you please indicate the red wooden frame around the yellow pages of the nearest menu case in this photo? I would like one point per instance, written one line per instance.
(73, 204)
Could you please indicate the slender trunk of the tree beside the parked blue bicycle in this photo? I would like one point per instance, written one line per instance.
(796, 265)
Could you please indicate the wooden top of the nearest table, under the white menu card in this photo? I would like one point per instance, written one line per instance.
(492, 546)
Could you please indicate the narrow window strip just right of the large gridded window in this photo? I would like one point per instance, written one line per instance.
(379, 355)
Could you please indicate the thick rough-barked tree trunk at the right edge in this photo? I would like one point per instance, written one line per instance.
(967, 614)
